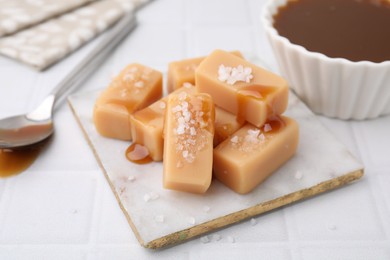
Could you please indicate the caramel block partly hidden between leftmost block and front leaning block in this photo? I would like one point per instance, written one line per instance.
(147, 124)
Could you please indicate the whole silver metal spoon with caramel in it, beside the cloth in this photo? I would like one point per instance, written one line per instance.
(34, 127)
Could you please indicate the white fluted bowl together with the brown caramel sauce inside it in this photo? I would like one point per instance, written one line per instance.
(334, 53)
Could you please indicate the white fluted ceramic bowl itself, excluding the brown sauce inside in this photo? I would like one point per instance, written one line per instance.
(334, 87)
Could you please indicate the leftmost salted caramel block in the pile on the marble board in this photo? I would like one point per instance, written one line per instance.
(134, 88)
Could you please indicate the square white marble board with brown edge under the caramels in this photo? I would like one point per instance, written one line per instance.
(161, 217)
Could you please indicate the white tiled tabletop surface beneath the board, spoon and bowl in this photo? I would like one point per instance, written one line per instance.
(63, 208)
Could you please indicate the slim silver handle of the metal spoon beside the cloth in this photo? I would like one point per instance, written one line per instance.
(96, 56)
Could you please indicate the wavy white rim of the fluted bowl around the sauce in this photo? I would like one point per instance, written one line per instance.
(267, 21)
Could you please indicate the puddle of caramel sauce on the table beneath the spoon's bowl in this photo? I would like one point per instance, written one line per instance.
(15, 161)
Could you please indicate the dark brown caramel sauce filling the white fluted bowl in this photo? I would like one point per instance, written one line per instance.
(356, 30)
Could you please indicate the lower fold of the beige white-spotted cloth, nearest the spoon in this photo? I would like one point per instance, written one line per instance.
(46, 43)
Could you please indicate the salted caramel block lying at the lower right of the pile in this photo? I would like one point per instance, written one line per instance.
(251, 154)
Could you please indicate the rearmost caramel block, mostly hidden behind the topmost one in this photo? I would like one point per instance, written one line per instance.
(183, 71)
